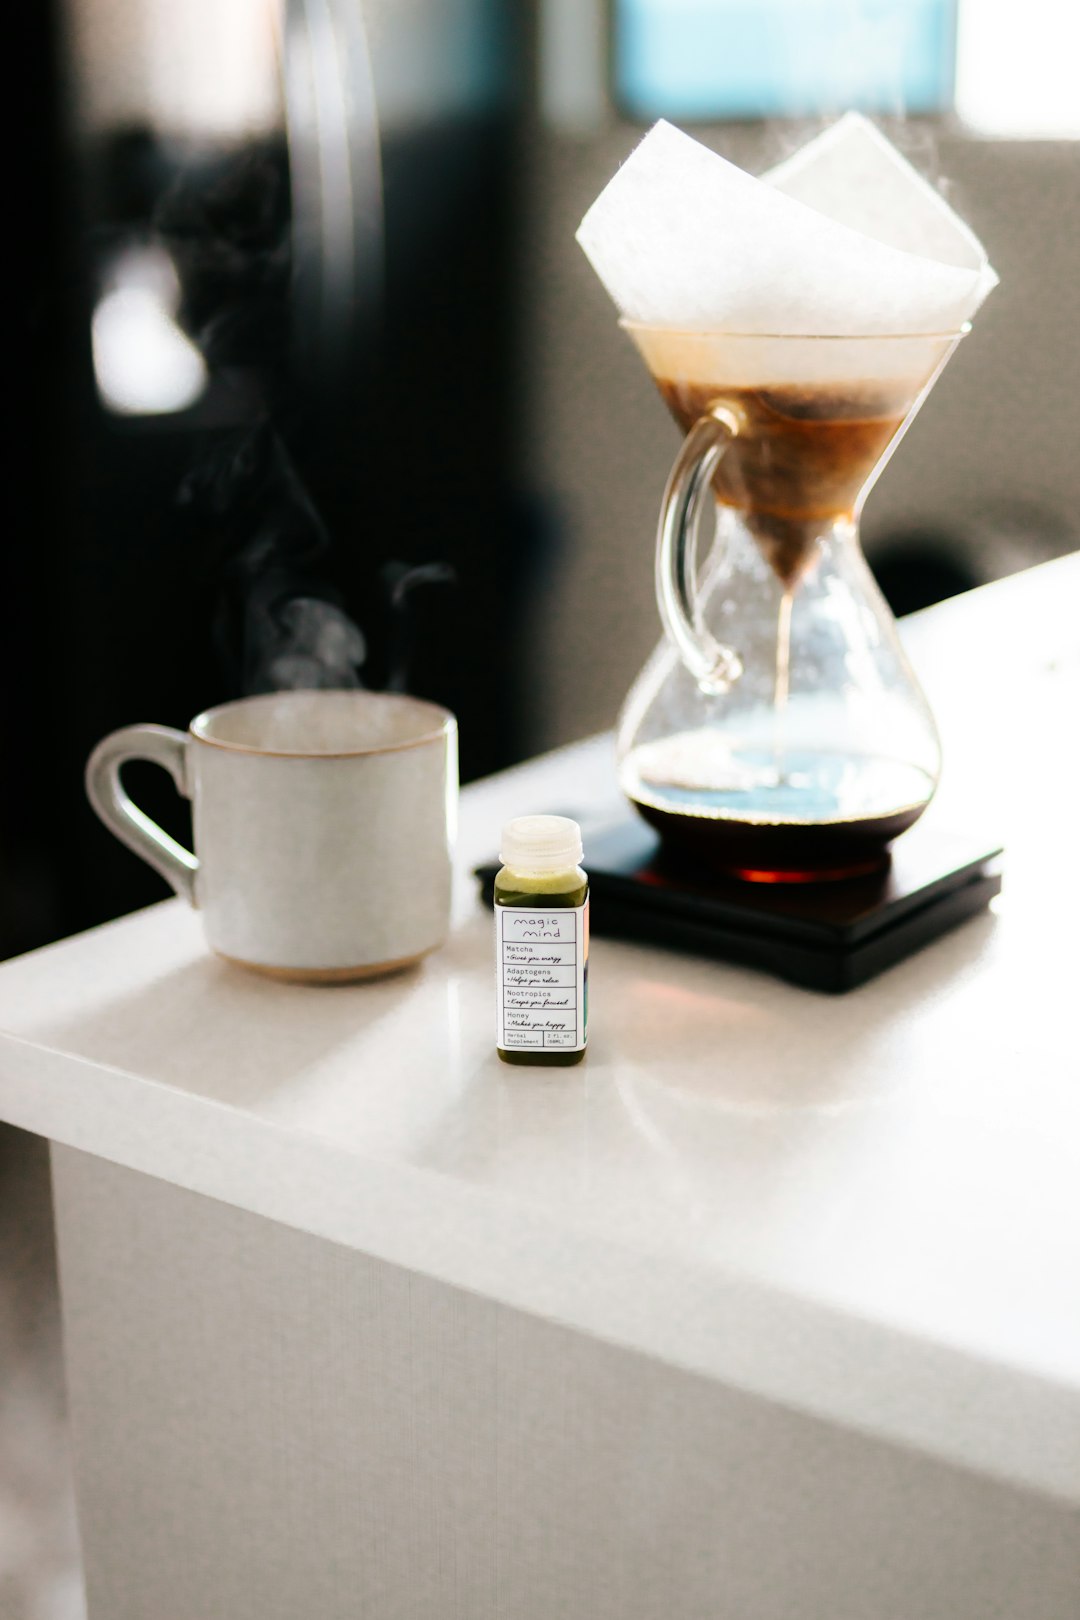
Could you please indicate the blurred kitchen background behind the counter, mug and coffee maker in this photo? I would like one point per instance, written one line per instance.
(317, 386)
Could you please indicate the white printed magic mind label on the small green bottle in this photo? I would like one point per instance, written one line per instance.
(543, 978)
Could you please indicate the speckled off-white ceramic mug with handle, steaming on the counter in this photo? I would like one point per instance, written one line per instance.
(323, 827)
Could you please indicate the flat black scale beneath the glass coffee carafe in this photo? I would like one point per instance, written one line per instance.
(822, 936)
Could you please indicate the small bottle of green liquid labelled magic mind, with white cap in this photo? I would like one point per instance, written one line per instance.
(542, 942)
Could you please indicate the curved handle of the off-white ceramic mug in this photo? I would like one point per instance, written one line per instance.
(104, 790)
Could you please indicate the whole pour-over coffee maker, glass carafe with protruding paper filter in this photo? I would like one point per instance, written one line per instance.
(793, 326)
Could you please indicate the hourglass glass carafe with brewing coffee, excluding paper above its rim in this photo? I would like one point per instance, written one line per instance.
(778, 733)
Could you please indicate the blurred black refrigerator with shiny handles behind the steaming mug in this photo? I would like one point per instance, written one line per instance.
(273, 412)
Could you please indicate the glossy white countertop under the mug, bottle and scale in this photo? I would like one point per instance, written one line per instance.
(865, 1208)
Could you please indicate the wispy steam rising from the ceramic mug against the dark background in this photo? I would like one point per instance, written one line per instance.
(279, 621)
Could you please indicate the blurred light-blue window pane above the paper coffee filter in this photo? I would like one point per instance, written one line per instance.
(783, 59)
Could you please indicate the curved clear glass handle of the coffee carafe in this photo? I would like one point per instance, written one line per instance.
(715, 667)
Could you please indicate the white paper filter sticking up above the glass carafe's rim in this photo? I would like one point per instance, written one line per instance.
(844, 239)
